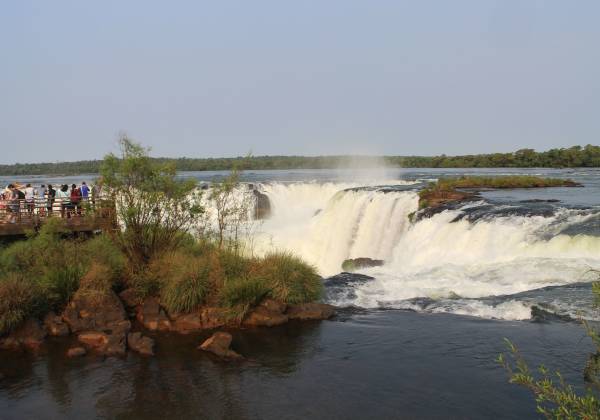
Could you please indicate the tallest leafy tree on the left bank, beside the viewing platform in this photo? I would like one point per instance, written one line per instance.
(154, 208)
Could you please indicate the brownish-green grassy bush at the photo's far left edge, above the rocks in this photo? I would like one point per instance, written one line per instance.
(19, 299)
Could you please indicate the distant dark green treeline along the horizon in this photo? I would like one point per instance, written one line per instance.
(576, 156)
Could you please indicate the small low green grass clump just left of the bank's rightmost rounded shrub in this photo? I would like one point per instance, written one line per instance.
(240, 295)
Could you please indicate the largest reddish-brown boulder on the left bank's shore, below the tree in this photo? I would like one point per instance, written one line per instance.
(94, 311)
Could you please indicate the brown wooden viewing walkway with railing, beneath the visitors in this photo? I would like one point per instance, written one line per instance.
(17, 217)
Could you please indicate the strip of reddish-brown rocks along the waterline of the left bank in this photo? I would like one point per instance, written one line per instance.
(108, 324)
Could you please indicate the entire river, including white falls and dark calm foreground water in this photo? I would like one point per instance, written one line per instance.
(418, 337)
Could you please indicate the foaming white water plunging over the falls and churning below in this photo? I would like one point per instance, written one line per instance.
(433, 258)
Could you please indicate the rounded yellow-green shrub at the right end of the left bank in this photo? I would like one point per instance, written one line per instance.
(290, 279)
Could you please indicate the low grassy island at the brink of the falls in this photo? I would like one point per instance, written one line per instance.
(447, 190)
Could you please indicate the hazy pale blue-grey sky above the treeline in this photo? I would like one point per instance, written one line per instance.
(311, 77)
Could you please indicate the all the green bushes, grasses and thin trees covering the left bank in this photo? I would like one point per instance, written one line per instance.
(165, 247)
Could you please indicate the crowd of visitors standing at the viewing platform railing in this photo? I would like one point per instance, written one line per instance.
(45, 200)
